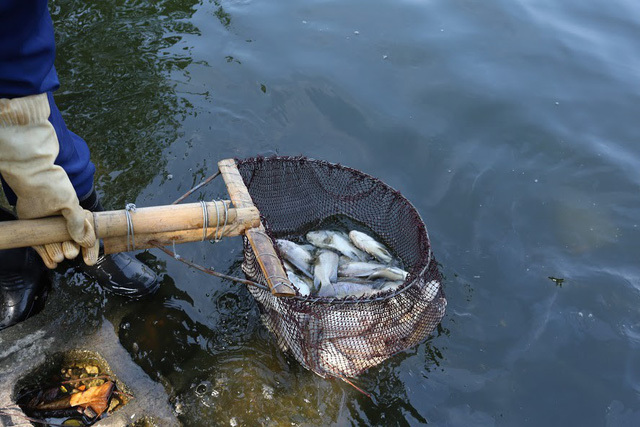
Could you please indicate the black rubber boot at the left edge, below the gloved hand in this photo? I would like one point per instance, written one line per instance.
(24, 282)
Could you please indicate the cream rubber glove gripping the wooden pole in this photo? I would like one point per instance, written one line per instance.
(28, 149)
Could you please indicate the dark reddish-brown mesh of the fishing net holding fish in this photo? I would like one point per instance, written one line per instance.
(342, 337)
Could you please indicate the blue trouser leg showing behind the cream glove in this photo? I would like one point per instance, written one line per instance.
(73, 157)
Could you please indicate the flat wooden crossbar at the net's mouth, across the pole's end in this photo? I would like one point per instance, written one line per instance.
(260, 242)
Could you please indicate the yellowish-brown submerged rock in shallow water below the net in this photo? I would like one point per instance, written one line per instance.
(260, 390)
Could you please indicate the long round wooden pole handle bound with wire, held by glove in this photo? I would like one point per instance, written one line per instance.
(112, 225)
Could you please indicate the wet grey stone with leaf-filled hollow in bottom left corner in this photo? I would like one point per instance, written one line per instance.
(41, 355)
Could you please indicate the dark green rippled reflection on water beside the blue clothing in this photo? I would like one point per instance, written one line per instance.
(115, 61)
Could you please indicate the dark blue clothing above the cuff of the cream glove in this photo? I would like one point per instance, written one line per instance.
(27, 49)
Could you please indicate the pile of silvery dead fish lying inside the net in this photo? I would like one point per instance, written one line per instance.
(337, 264)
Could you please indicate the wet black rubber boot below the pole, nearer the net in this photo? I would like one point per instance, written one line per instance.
(119, 273)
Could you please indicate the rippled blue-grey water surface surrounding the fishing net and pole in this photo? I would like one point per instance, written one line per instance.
(510, 125)
